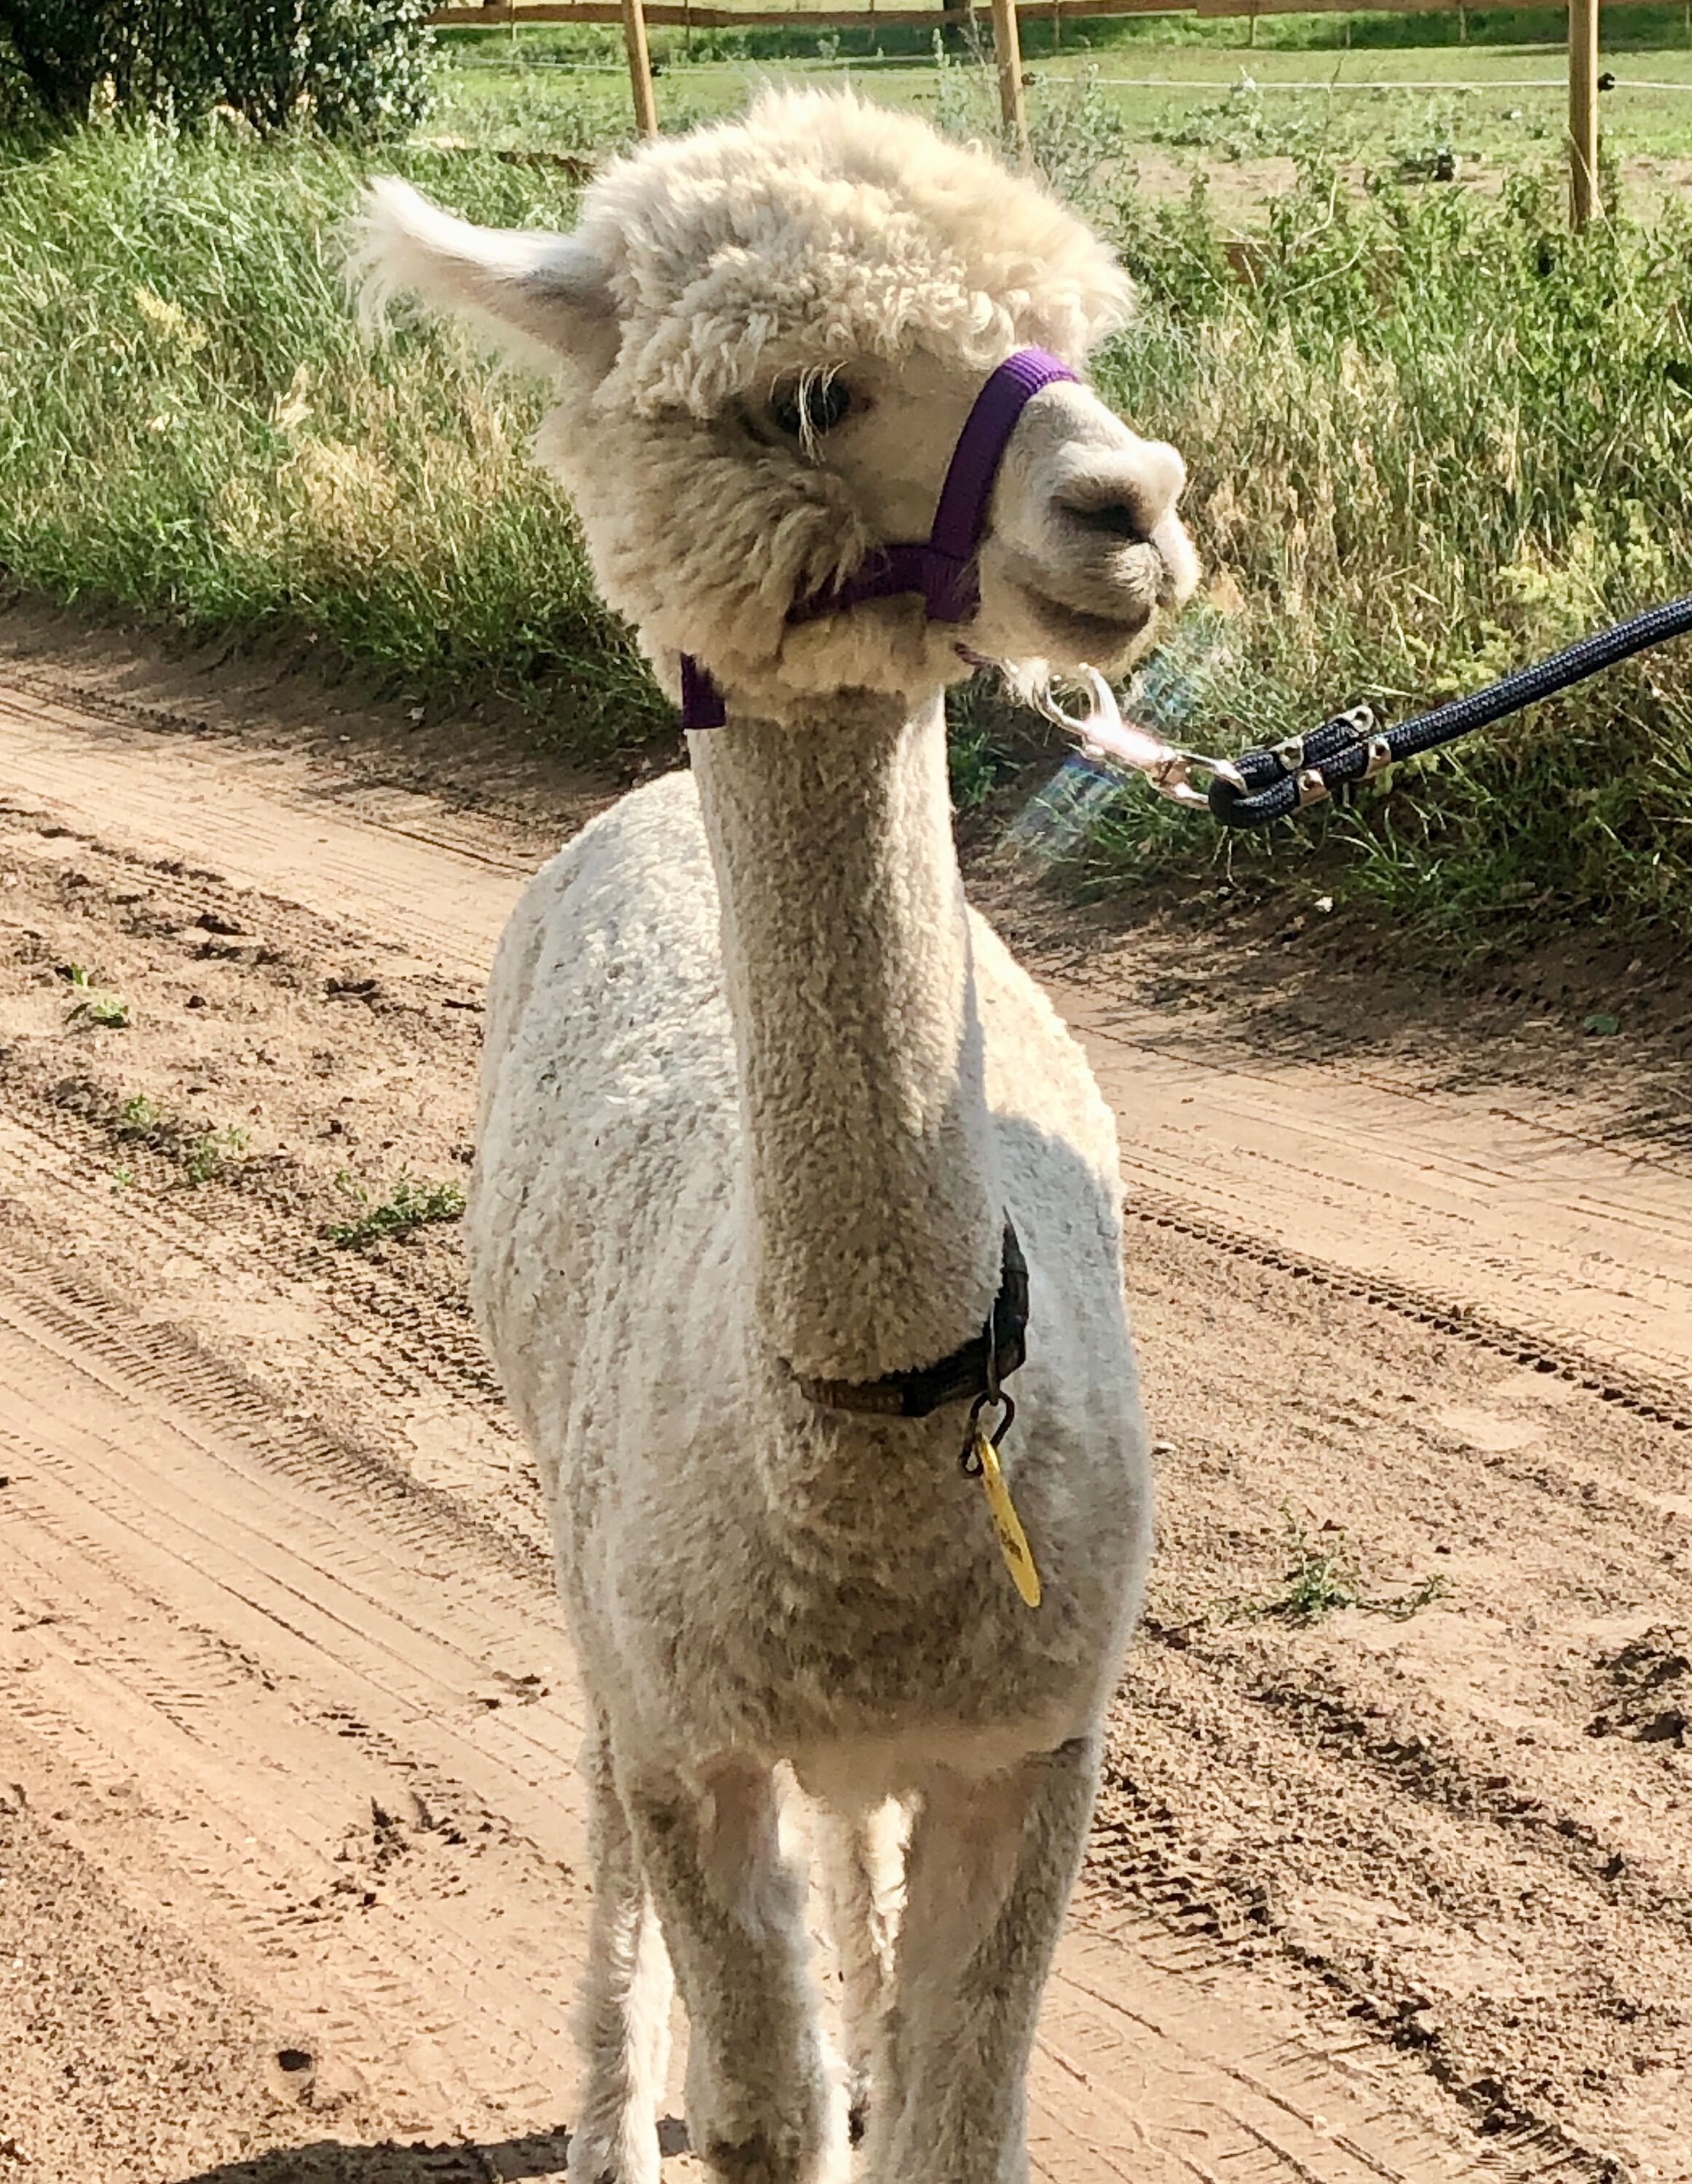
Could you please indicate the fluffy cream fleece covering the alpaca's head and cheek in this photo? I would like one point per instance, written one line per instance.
(702, 274)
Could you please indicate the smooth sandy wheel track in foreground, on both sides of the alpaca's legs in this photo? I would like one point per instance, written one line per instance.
(189, 1565)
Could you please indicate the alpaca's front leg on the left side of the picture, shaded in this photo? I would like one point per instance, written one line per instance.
(732, 1912)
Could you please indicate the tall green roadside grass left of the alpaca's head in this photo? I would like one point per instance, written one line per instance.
(191, 425)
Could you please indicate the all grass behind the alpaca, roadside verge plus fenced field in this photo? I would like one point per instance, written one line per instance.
(1431, 438)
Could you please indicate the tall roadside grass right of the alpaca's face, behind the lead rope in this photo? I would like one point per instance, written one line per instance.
(1435, 440)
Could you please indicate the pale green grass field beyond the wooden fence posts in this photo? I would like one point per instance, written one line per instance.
(1237, 117)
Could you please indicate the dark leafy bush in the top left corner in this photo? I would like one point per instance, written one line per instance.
(344, 64)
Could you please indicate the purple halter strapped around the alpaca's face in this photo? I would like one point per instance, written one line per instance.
(944, 565)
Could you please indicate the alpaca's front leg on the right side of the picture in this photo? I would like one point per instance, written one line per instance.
(990, 1873)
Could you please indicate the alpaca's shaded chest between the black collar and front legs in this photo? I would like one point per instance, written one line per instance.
(802, 1637)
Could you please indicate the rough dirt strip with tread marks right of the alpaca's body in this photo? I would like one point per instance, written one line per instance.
(1438, 1818)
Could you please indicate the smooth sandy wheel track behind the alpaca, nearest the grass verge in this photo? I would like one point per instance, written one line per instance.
(1259, 1132)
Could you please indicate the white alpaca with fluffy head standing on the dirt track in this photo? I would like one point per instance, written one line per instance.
(759, 1100)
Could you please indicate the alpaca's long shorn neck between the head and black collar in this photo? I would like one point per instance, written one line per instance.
(874, 1200)
